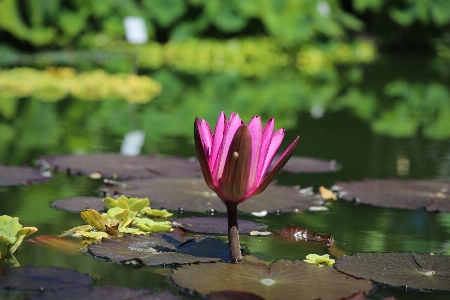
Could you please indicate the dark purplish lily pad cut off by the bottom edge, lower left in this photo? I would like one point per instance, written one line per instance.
(110, 293)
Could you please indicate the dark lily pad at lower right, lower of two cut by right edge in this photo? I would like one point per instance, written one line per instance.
(409, 270)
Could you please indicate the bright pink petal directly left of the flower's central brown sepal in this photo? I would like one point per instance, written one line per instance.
(232, 125)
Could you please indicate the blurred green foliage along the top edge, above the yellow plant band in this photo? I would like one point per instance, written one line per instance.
(75, 23)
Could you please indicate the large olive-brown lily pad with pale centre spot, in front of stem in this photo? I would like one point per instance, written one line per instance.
(284, 279)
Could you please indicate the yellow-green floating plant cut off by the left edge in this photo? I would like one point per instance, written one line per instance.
(12, 234)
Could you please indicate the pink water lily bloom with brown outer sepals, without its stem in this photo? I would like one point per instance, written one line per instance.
(236, 158)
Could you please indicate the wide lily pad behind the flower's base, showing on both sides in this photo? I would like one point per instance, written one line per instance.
(193, 194)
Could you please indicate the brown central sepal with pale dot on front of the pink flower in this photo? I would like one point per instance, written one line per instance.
(233, 184)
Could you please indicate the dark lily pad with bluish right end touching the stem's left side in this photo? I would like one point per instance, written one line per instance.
(160, 249)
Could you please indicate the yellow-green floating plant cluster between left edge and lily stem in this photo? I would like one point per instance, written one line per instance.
(124, 216)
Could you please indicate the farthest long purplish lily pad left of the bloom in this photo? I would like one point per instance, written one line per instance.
(115, 165)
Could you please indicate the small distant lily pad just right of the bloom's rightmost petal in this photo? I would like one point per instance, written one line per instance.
(298, 164)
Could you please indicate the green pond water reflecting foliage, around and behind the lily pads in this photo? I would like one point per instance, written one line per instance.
(375, 124)
